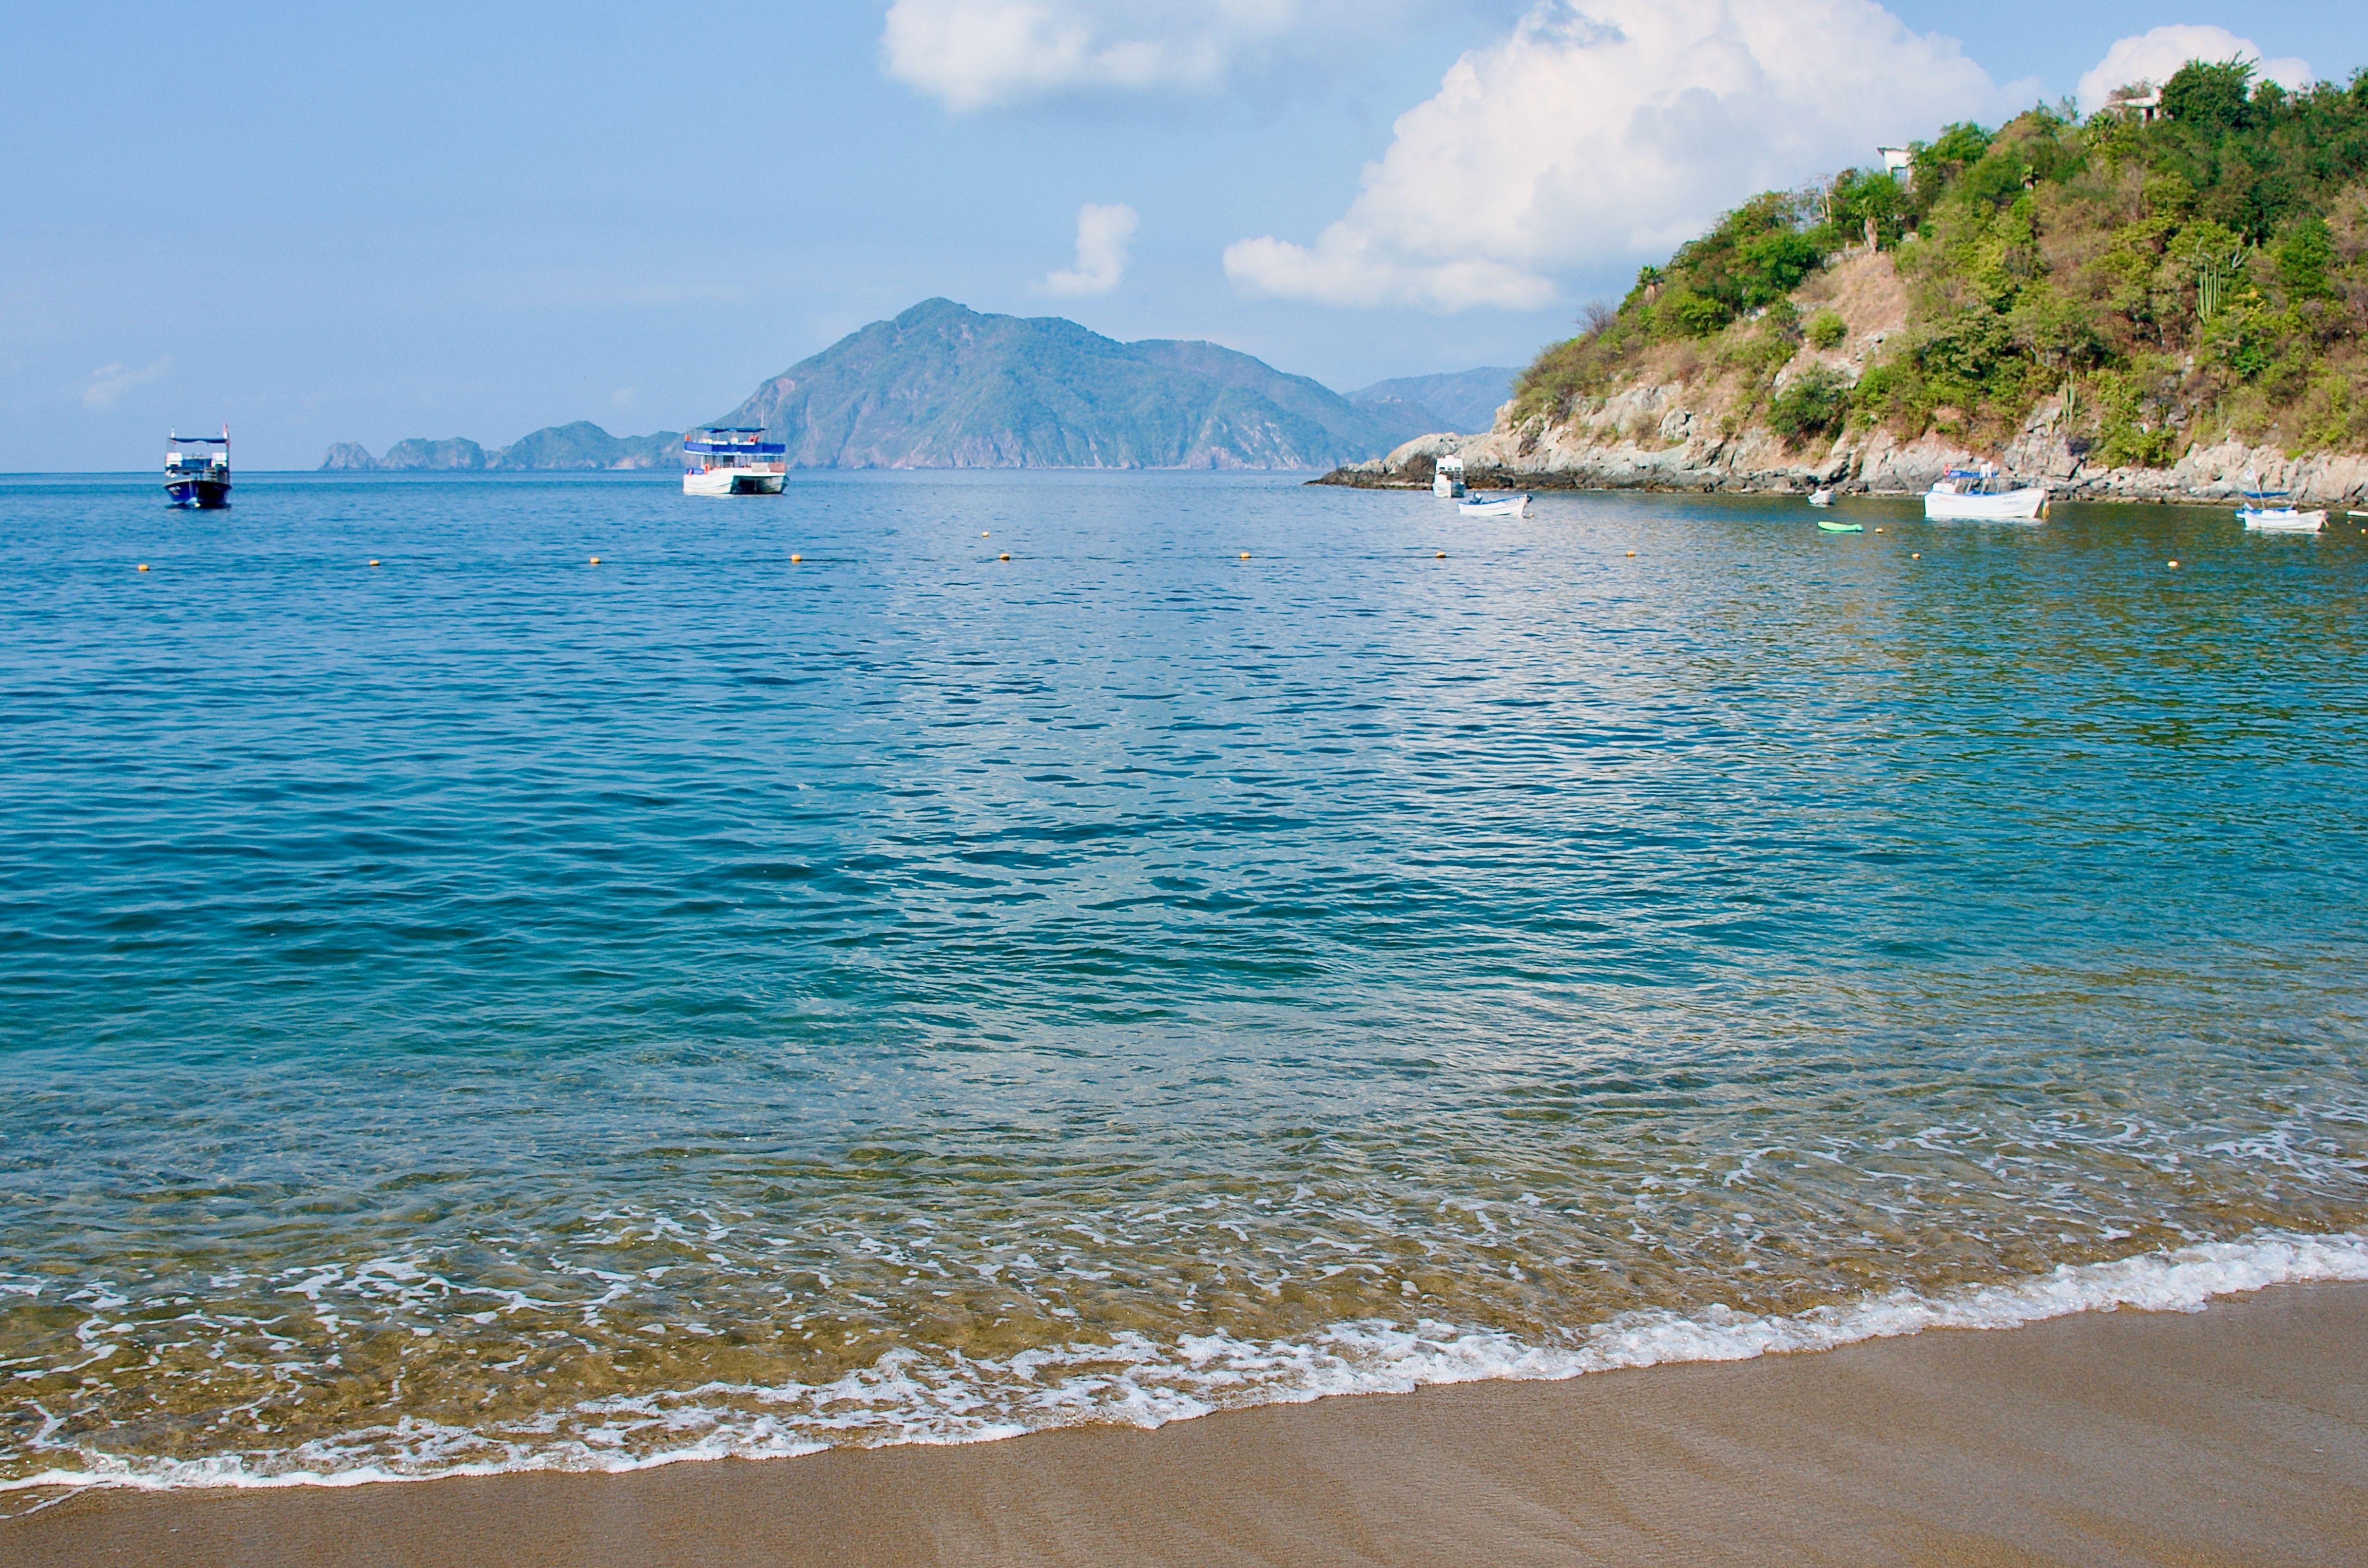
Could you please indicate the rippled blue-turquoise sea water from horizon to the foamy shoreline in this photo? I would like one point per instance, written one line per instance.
(498, 1010)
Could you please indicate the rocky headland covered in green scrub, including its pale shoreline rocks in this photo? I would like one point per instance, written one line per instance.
(2137, 307)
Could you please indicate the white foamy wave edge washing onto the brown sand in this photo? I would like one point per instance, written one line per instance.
(1140, 1382)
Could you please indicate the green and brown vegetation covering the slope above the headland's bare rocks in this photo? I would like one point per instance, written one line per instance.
(2177, 281)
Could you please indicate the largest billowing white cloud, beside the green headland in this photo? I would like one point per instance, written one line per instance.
(1614, 129)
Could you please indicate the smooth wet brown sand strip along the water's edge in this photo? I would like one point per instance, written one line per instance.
(2227, 1437)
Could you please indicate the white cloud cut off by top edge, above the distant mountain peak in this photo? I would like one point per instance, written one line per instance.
(986, 53)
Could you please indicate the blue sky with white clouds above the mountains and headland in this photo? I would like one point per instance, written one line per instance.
(356, 224)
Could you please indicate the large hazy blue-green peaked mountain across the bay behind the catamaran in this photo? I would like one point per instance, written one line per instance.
(946, 387)
